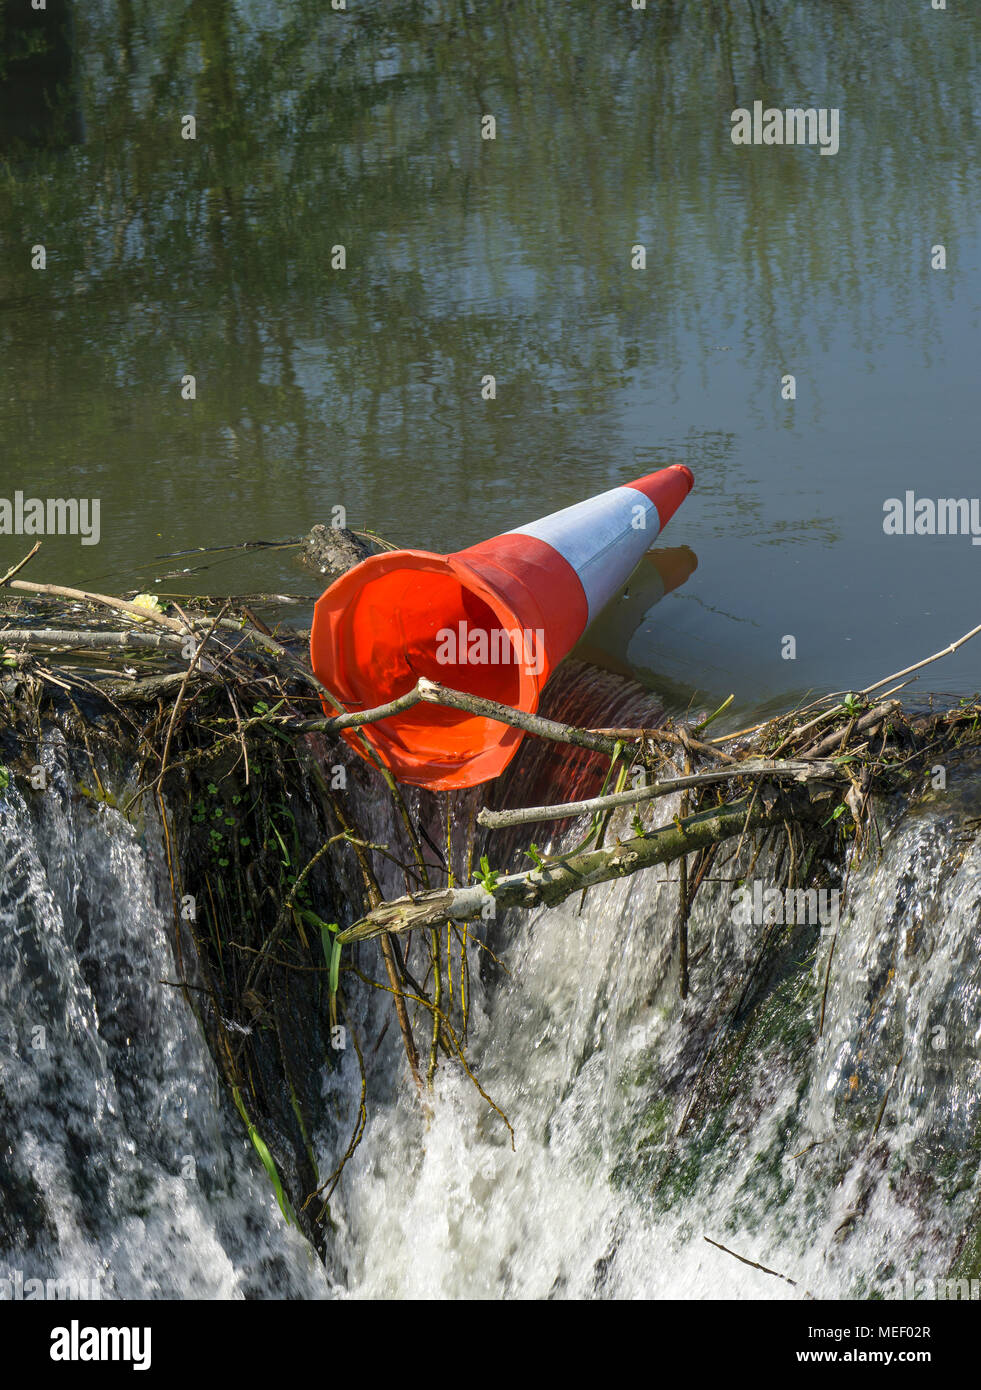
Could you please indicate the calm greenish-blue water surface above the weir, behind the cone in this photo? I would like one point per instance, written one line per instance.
(362, 387)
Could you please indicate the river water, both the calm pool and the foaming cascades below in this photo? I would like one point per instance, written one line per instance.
(362, 389)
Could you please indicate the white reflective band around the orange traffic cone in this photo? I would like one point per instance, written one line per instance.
(602, 539)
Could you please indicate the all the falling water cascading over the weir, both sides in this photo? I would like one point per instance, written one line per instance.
(844, 1160)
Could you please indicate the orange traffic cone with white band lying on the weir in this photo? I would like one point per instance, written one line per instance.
(493, 621)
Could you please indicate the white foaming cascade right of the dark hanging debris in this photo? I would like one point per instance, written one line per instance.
(588, 1050)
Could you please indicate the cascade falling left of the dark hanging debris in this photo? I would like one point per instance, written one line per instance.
(123, 1171)
